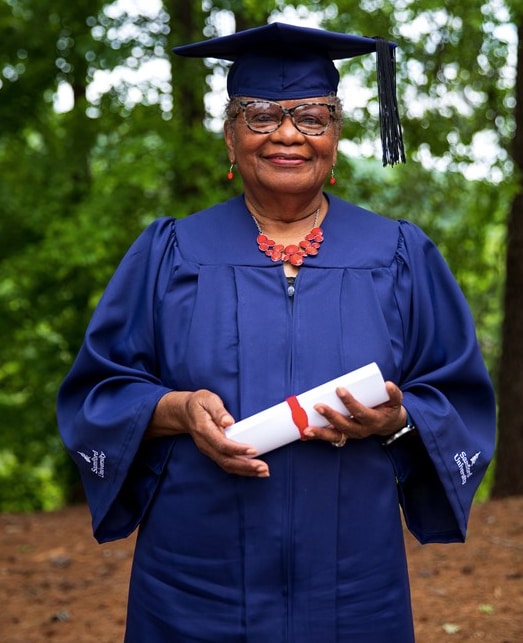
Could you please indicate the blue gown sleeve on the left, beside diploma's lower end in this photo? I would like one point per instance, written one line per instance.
(107, 399)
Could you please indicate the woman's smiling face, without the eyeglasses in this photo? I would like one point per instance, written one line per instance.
(285, 160)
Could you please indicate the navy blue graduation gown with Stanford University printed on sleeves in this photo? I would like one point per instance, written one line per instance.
(315, 552)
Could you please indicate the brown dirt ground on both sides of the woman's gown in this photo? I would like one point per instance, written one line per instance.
(57, 584)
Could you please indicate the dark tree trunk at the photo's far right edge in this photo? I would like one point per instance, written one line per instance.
(508, 480)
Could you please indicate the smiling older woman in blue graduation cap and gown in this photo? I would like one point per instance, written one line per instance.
(214, 317)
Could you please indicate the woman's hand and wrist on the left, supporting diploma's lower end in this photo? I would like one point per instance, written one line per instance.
(203, 415)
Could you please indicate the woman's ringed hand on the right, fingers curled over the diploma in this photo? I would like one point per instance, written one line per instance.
(360, 421)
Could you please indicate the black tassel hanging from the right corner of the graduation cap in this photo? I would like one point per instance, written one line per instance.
(390, 124)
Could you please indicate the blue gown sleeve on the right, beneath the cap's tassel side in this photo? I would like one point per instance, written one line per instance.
(447, 392)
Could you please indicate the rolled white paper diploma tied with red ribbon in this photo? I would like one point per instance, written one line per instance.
(274, 427)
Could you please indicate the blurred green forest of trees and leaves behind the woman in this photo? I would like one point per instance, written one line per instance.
(102, 131)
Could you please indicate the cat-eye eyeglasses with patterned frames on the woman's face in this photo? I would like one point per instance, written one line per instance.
(265, 116)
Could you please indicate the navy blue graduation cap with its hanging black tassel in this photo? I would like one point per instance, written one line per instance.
(281, 62)
